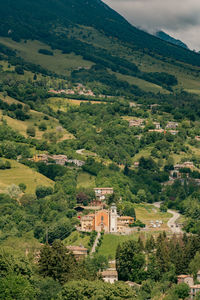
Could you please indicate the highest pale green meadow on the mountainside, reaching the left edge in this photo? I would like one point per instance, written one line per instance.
(59, 63)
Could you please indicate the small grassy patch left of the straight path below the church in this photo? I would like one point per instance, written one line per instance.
(76, 239)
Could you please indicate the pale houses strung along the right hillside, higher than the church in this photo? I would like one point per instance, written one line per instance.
(170, 127)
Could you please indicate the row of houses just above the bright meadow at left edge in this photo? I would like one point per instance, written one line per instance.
(59, 159)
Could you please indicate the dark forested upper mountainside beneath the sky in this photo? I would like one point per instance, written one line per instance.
(48, 20)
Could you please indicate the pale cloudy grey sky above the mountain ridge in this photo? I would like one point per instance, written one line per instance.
(179, 18)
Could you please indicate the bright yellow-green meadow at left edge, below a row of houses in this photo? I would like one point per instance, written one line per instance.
(22, 174)
